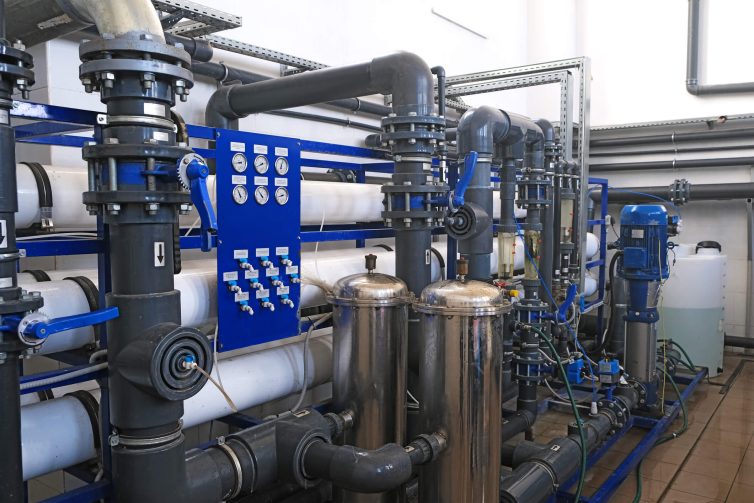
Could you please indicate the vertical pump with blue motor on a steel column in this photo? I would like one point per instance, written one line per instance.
(643, 239)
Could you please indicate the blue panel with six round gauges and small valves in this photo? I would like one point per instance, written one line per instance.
(258, 193)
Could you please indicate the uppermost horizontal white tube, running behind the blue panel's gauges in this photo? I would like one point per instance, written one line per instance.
(338, 203)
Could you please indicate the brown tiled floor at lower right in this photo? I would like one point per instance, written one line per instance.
(713, 462)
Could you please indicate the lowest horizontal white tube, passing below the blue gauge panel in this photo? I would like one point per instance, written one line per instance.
(57, 433)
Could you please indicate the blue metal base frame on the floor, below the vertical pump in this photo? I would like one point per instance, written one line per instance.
(656, 428)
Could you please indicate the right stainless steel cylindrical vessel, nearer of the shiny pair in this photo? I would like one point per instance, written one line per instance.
(460, 378)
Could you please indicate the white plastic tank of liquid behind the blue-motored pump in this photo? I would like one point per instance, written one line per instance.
(691, 306)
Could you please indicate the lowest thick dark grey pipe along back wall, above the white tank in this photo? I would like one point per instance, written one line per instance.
(700, 192)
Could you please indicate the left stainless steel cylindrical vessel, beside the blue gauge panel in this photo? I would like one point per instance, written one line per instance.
(370, 338)
